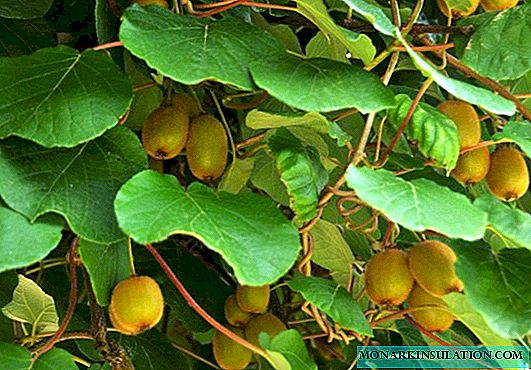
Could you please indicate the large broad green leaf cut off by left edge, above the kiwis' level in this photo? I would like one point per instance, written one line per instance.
(59, 97)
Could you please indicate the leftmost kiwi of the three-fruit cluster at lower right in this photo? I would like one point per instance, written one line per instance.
(387, 278)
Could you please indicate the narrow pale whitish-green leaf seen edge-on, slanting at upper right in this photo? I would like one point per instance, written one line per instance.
(481, 97)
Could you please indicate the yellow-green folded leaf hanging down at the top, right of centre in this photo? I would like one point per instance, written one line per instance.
(359, 45)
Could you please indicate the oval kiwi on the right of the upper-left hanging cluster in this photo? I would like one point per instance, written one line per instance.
(207, 147)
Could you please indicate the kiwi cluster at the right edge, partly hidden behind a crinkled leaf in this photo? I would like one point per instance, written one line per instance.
(504, 171)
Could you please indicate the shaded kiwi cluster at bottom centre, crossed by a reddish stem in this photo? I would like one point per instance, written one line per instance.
(246, 312)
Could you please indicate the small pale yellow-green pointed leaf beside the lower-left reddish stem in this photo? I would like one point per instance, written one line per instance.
(32, 306)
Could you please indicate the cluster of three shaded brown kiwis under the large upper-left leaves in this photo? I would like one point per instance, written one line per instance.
(179, 124)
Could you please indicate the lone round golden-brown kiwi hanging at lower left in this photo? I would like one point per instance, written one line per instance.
(136, 305)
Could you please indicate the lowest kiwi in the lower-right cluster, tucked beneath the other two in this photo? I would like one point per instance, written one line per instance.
(432, 319)
